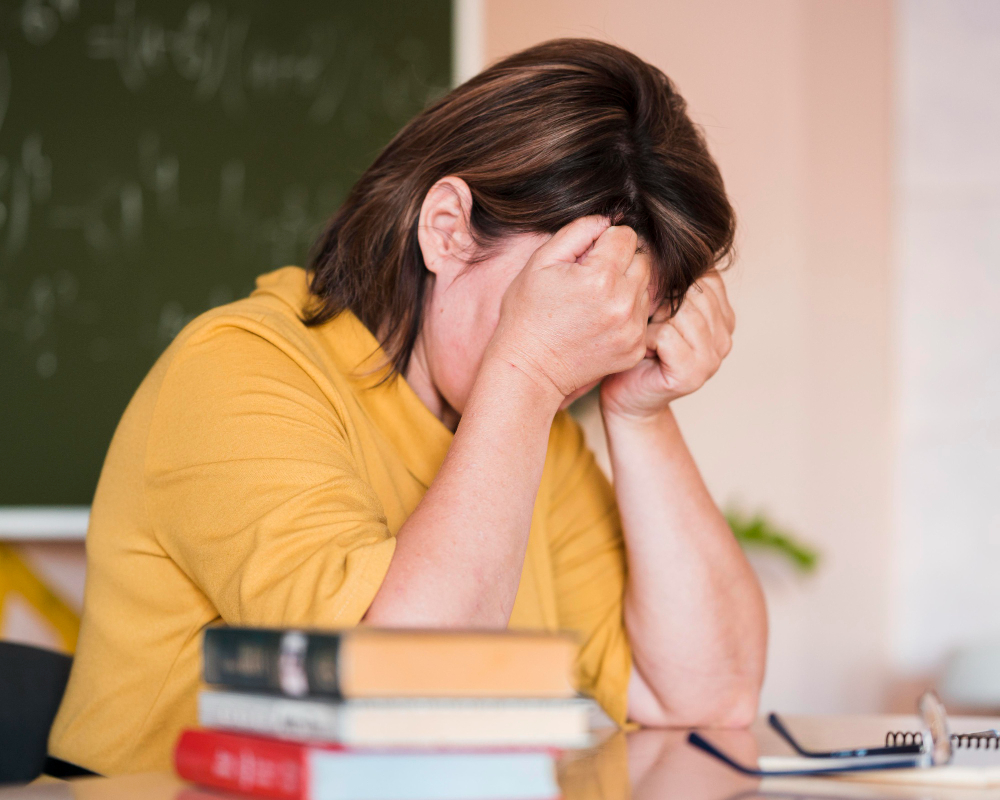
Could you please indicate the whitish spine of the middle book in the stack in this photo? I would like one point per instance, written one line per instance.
(269, 715)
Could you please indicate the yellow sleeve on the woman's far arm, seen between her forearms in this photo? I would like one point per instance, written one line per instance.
(588, 555)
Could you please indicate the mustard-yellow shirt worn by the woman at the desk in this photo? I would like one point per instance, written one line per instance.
(258, 477)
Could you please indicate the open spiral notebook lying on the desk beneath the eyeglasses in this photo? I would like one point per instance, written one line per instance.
(975, 764)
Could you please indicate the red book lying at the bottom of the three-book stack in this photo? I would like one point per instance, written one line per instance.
(287, 770)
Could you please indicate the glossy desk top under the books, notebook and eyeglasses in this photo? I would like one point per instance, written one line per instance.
(642, 765)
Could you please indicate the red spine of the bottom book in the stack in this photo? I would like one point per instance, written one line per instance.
(243, 764)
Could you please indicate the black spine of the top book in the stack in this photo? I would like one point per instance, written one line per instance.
(288, 662)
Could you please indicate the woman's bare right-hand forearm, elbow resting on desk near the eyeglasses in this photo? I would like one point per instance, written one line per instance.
(693, 607)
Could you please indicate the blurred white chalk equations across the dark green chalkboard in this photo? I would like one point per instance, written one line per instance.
(209, 47)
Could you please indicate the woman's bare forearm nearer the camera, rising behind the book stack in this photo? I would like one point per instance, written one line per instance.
(459, 555)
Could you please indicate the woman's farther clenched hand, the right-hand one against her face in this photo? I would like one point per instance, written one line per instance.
(681, 353)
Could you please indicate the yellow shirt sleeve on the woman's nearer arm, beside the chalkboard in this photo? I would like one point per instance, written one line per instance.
(251, 487)
